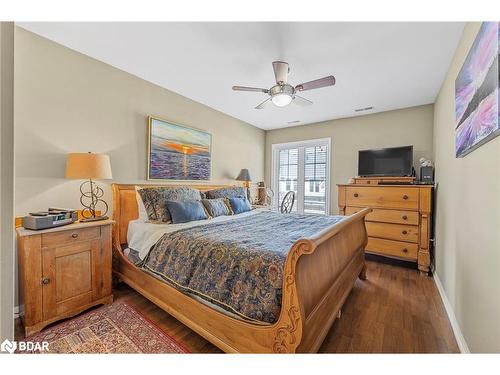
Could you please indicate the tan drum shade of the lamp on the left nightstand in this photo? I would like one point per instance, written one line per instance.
(80, 166)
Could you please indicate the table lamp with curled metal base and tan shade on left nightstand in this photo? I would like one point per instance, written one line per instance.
(89, 166)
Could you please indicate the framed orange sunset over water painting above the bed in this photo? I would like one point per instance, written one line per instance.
(177, 152)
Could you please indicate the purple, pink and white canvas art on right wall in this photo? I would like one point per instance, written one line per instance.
(476, 92)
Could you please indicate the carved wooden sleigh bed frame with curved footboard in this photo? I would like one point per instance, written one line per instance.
(319, 274)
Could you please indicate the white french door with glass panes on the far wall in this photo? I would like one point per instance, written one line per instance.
(304, 168)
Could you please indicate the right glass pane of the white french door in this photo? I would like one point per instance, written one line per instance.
(315, 180)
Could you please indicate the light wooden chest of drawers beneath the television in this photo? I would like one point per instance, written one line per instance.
(400, 224)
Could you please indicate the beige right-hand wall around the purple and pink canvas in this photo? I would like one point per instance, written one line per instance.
(468, 219)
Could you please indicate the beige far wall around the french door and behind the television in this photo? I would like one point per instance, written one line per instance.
(410, 126)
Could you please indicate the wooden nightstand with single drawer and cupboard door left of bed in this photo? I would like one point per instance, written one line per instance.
(63, 271)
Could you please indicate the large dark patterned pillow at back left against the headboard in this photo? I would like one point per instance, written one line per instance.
(154, 199)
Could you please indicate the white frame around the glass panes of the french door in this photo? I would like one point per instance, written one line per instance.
(276, 147)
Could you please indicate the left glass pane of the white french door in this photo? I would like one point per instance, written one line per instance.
(288, 174)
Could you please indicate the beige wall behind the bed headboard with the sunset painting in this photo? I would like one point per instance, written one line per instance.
(68, 102)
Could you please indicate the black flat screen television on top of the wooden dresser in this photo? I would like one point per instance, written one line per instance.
(395, 161)
